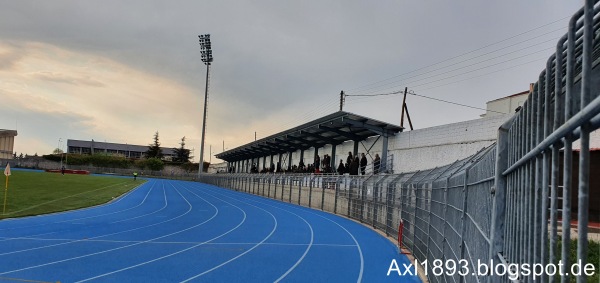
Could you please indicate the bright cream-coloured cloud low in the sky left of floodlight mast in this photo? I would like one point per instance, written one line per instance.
(70, 94)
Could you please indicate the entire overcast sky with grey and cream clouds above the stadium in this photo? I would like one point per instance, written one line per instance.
(118, 71)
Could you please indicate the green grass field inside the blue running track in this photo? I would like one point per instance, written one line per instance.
(34, 193)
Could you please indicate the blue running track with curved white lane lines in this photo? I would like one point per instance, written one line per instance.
(175, 231)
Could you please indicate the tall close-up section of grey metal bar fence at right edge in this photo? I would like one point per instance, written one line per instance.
(563, 107)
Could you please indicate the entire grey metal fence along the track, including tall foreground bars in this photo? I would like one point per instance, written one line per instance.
(501, 204)
